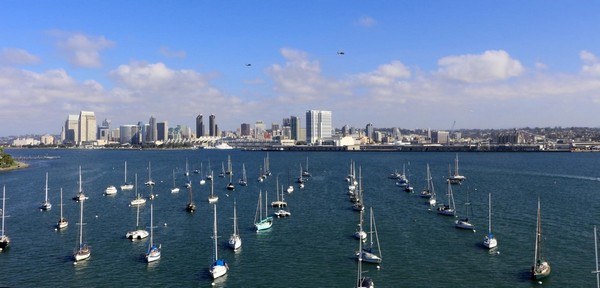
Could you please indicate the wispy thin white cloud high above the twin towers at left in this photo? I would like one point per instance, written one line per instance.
(82, 50)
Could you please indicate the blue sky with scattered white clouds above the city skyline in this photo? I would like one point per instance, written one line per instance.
(409, 64)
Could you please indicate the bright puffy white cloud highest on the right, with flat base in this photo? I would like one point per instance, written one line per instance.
(492, 65)
